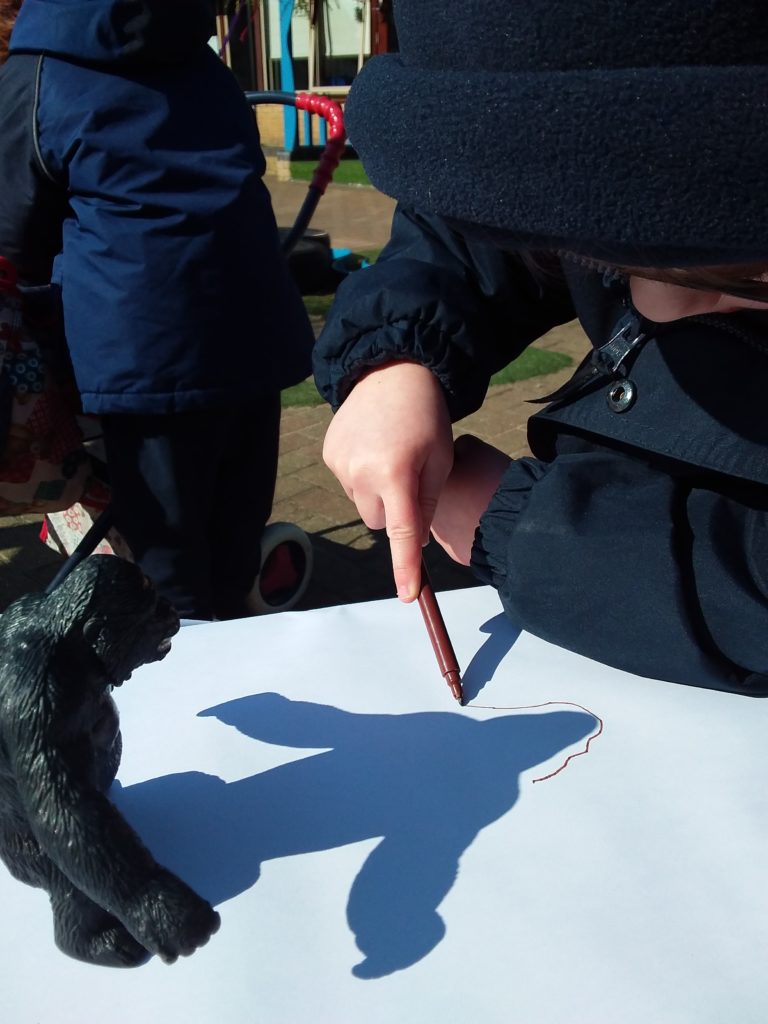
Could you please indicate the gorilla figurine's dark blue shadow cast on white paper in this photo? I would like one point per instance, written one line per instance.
(426, 784)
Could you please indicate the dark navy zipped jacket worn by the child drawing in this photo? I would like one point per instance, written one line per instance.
(638, 533)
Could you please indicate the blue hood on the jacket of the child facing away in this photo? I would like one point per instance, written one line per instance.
(114, 31)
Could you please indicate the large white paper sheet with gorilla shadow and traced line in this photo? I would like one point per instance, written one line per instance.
(379, 855)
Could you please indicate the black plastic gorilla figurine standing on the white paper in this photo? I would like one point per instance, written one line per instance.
(60, 750)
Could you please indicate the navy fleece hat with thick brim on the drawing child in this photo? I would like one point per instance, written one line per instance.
(634, 134)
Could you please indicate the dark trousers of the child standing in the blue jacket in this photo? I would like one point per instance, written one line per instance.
(192, 493)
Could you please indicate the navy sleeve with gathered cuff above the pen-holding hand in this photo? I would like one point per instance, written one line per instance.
(460, 307)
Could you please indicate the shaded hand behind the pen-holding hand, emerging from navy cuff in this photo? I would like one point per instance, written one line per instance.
(477, 475)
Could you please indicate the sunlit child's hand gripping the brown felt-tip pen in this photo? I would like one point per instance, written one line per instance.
(391, 446)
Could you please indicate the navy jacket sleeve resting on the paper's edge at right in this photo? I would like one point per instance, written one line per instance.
(604, 556)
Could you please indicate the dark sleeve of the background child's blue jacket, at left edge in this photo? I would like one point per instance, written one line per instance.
(32, 204)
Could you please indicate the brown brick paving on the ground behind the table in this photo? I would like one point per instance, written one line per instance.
(352, 564)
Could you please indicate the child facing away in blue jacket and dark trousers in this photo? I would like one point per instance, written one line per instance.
(133, 178)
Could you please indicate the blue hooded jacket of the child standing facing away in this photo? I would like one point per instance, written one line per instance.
(127, 147)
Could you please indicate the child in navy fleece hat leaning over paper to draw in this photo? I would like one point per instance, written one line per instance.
(606, 160)
